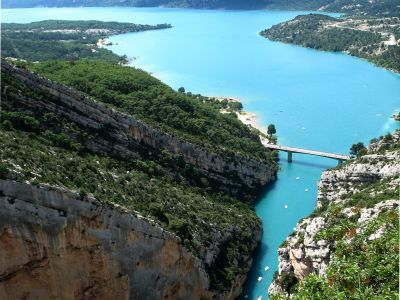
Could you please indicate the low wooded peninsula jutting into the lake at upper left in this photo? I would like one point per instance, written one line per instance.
(70, 40)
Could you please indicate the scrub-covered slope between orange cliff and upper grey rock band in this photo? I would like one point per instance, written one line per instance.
(39, 146)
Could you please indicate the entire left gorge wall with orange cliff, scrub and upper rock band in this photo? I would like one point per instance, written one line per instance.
(149, 236)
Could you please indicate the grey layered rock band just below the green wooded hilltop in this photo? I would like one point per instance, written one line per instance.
(129, 137)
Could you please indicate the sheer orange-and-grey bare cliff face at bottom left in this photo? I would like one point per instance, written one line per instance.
(55, 244)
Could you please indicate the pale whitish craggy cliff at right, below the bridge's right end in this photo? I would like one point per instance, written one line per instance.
(342, 191)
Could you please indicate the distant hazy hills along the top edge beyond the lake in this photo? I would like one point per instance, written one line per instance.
(359, 7)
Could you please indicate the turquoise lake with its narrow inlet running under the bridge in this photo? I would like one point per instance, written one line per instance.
(317, 100)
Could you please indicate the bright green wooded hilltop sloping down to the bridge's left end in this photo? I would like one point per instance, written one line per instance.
(136, 92)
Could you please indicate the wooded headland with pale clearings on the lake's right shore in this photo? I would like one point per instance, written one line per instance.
(332, 34)
